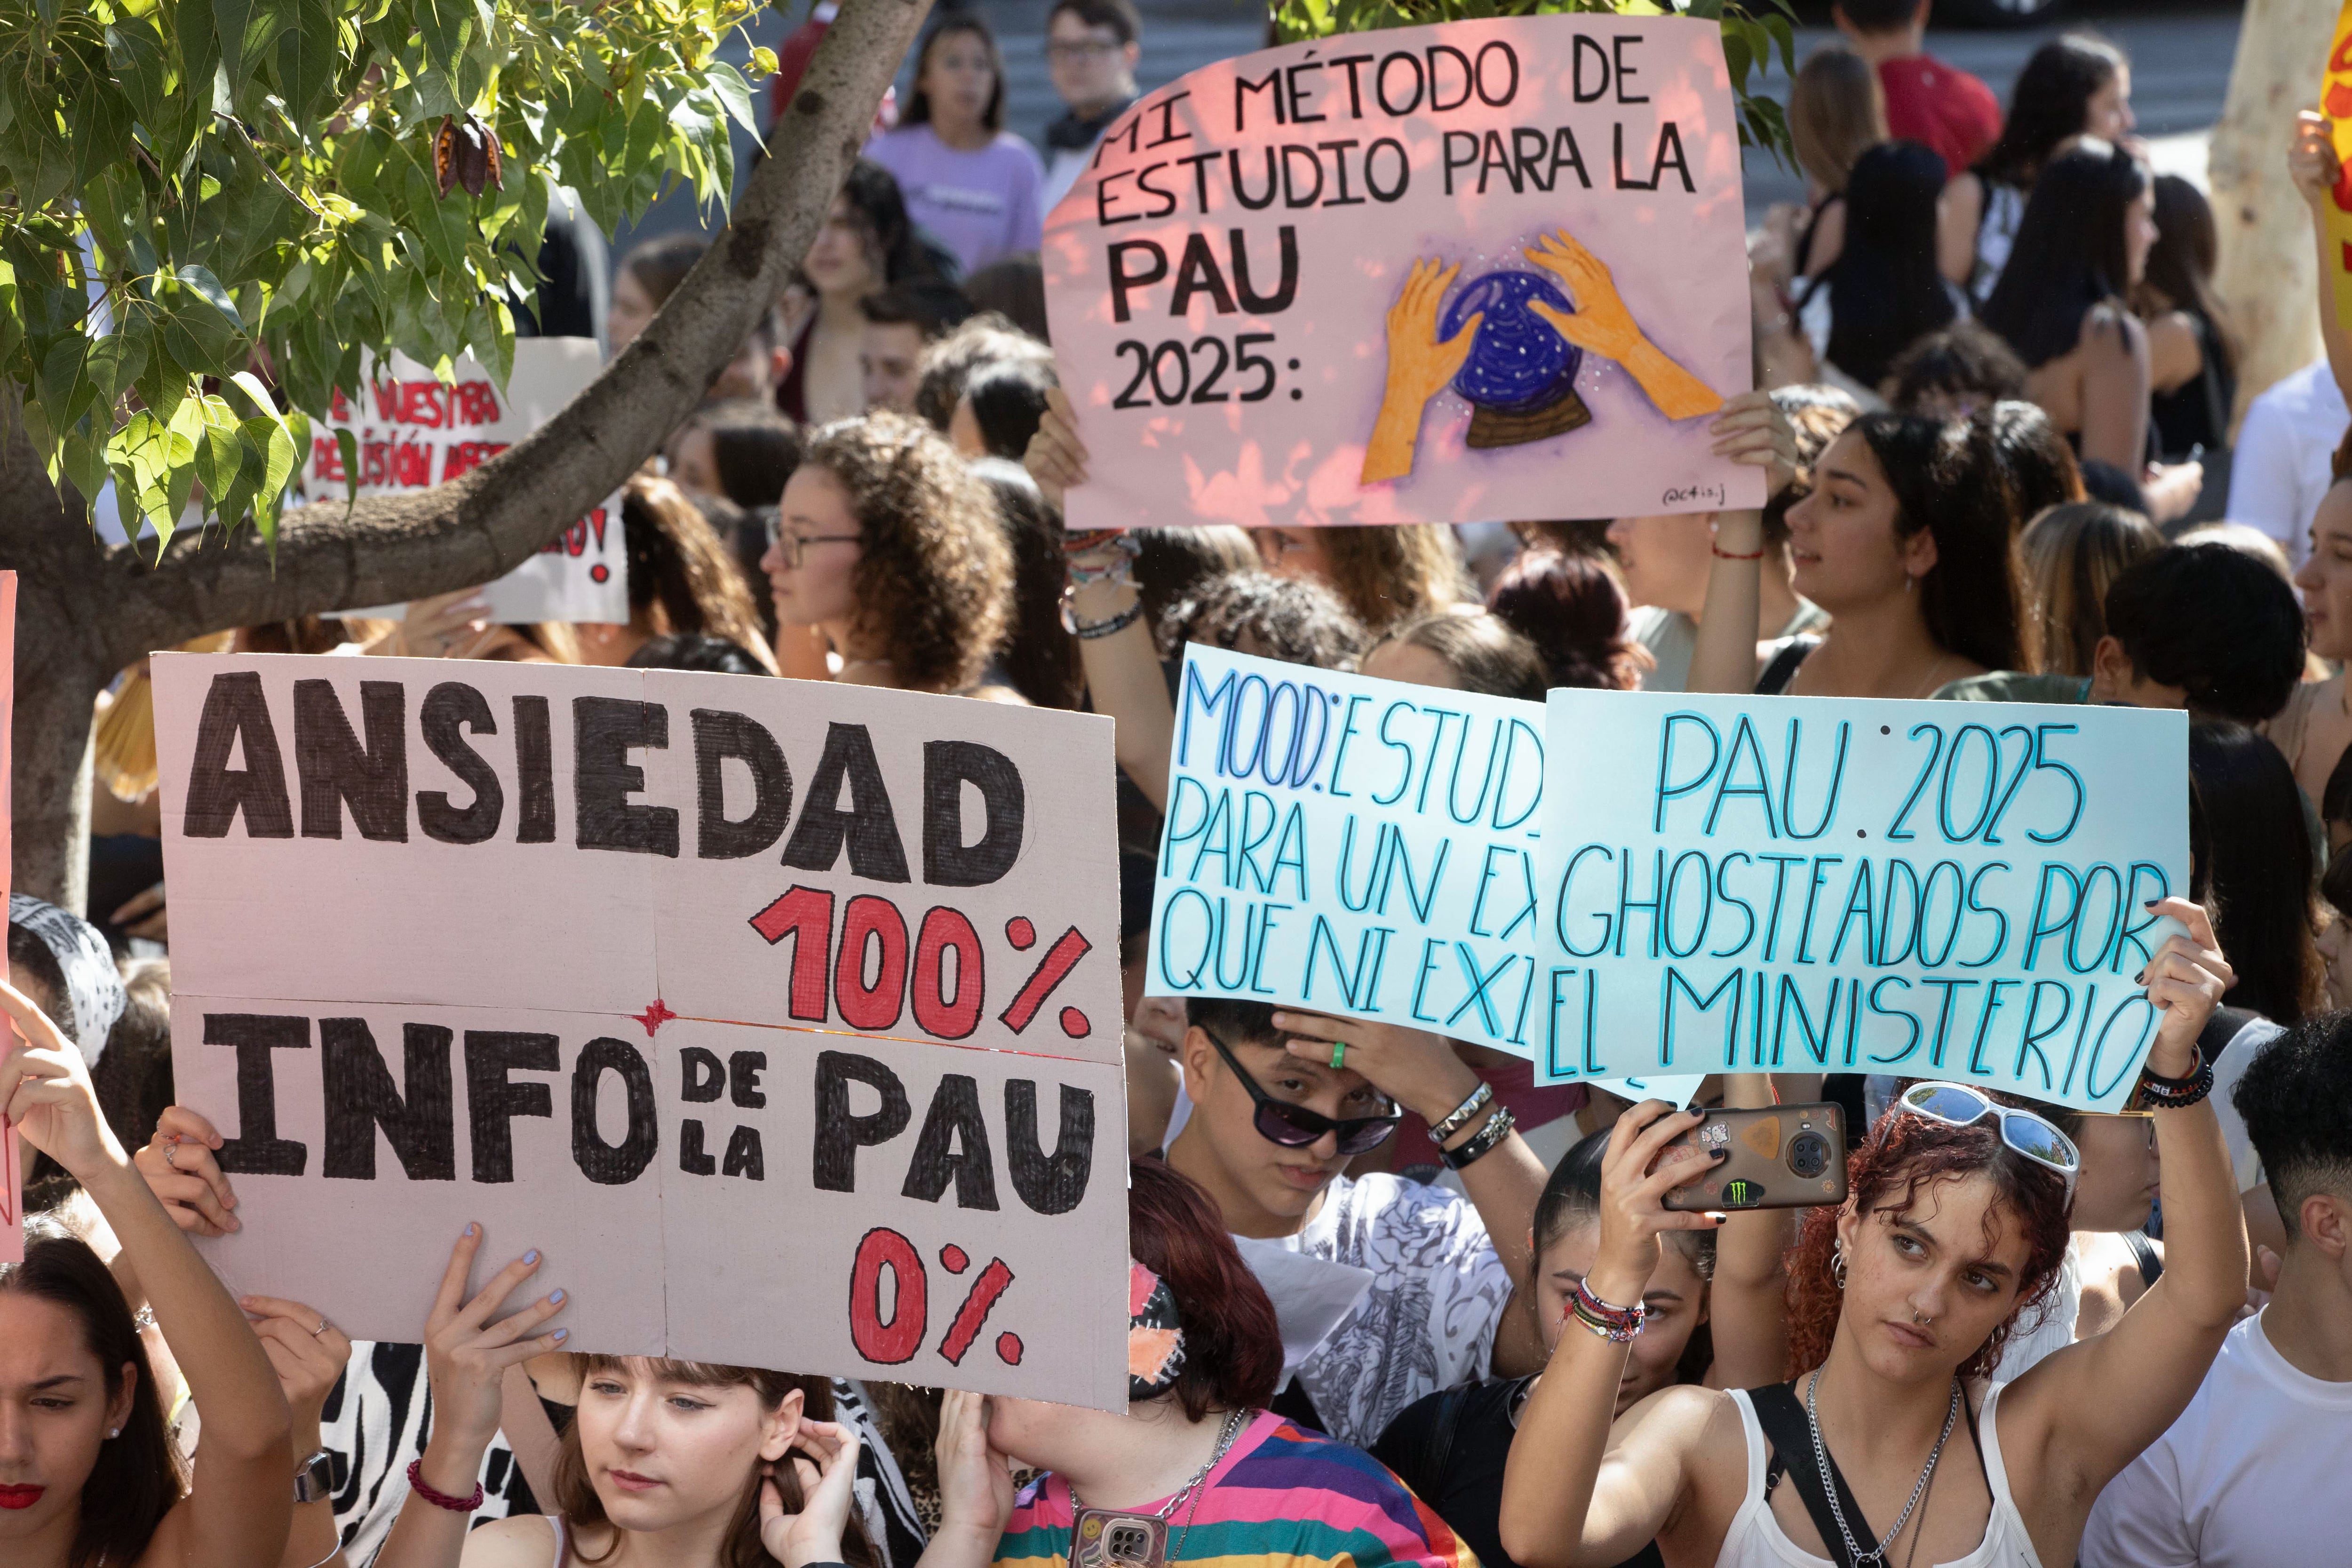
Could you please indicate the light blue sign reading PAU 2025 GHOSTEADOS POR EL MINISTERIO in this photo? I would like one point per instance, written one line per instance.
(1930, 890)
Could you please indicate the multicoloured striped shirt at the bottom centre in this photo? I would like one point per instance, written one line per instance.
(1278, 1499)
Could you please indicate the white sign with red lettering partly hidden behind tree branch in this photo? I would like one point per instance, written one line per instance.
(410, 431)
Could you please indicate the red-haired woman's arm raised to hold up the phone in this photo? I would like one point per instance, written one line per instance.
(1563, 1506)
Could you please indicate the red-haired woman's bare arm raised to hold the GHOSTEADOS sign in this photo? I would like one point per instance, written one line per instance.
(2094, 1407)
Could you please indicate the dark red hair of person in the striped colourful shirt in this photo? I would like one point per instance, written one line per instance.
(1231, 1341)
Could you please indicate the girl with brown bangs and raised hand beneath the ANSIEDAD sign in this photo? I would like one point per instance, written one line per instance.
(676, 1463)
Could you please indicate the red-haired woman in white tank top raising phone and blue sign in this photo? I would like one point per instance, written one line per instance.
(1899, 1304)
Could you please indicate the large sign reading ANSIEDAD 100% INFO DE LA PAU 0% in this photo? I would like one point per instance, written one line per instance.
(660, 963)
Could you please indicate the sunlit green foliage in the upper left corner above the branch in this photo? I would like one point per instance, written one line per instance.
(194, 192)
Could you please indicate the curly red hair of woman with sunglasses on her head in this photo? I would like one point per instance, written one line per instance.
(1897, 1162)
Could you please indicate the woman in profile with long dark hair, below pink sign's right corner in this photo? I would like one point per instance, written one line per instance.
(1909, 544)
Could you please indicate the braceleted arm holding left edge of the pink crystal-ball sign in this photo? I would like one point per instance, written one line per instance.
(1123, 666)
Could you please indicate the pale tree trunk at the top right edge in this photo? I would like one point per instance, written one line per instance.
(2266, 234)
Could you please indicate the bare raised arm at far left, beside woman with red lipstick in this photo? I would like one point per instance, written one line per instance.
(243, 1494)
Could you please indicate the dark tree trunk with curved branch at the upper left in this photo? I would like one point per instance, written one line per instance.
(86, 612)
